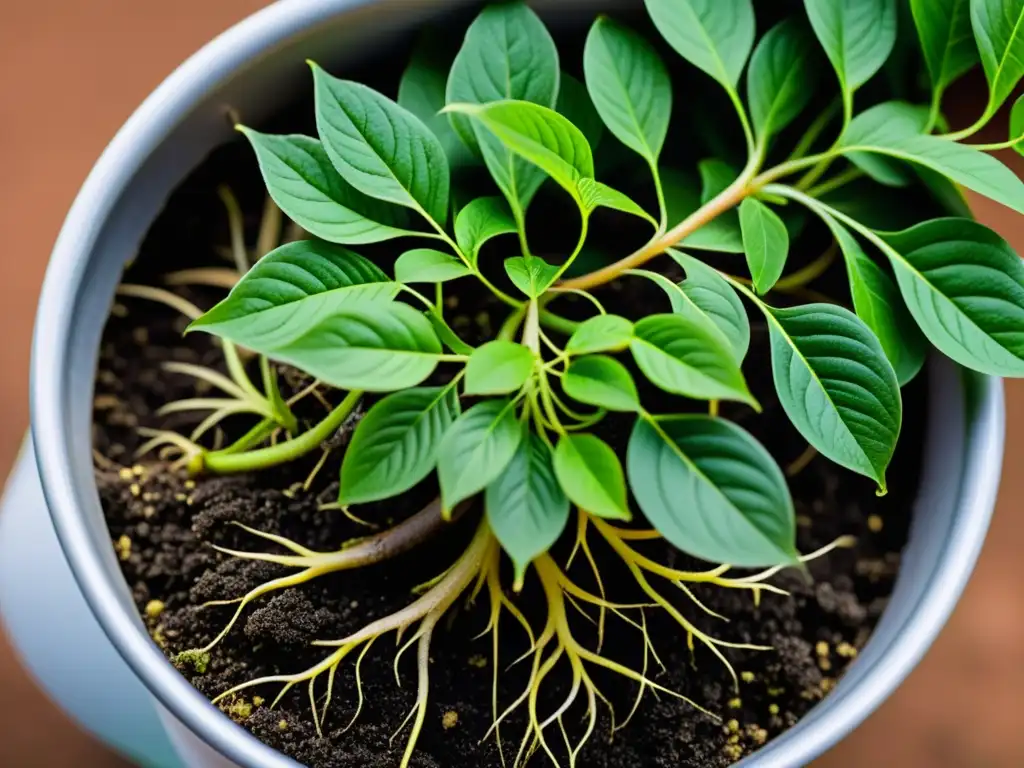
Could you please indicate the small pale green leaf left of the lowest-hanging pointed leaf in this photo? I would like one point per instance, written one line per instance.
(477, 451)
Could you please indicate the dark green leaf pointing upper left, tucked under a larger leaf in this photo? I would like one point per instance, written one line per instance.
(305, 185)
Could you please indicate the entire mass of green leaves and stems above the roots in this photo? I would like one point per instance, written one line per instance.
(515, 420)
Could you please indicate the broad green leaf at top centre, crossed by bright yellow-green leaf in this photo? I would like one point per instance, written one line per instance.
(508, 55)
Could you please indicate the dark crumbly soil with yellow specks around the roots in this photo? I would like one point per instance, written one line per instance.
(165, 526)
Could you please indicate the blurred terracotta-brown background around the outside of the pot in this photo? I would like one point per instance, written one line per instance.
(72, 71)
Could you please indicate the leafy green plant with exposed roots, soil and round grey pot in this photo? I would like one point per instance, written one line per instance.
(509, 361)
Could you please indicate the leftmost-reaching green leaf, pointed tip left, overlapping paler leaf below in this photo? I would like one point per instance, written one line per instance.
(291, 290)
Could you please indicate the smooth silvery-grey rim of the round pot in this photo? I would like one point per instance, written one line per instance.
(153, 122)
